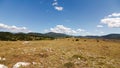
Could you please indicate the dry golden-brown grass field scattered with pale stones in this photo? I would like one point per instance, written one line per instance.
(61, 53)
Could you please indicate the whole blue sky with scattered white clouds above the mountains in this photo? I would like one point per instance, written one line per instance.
(74, 17)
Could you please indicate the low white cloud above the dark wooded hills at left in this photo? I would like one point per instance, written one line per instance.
(13, 28)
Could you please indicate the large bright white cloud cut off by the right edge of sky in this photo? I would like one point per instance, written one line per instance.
(112, 20)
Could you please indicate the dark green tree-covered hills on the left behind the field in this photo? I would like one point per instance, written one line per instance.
(7, 36)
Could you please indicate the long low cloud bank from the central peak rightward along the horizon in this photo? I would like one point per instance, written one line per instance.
(71, 31)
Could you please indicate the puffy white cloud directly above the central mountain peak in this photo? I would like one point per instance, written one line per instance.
(66, 30)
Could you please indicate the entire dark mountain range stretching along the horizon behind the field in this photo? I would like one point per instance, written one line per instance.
(8, 36)
